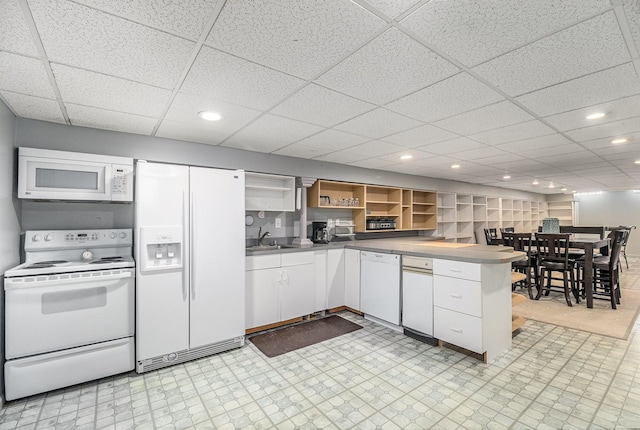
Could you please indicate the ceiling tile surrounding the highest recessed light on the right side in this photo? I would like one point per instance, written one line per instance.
(623, 108)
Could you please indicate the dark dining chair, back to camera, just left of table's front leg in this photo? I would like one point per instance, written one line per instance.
(553, 256)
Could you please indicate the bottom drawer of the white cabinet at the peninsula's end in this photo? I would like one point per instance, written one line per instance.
(459, 329)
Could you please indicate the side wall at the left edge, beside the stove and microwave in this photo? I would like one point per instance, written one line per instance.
(9, 213)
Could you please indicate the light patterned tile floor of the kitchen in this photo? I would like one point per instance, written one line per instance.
(374, 378)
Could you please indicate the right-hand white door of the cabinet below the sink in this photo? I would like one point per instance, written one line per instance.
(297, 291)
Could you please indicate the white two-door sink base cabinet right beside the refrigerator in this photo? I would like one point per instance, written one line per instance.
(279, 287)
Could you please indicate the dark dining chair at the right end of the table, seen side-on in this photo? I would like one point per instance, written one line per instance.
(606, 271)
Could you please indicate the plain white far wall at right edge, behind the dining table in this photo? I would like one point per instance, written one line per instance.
(612, 209)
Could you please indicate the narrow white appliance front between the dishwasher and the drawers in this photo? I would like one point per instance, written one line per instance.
(417, 297)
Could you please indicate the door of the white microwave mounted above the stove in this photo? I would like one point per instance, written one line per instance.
(41, 178)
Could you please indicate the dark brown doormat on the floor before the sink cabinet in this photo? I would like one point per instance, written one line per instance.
(288, 339)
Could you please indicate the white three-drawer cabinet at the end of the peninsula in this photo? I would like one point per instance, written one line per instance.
(472, 306)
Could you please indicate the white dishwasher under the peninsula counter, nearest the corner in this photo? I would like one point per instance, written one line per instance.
(380, 286)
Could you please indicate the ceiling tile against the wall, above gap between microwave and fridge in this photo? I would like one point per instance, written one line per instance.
(85, 116)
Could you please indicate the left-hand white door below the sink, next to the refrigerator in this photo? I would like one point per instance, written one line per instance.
(262, 297)
